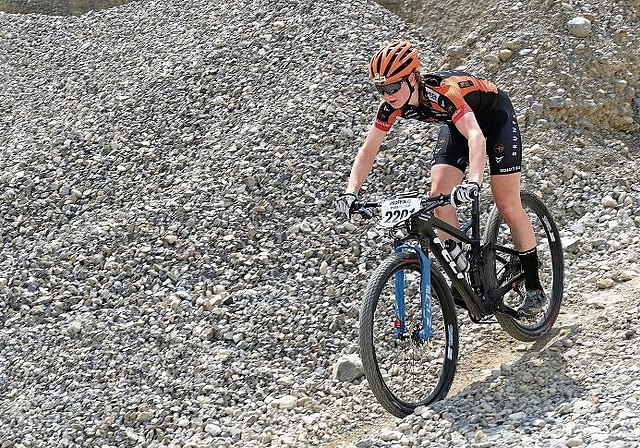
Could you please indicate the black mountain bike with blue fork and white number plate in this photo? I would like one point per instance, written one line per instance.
(408, 335)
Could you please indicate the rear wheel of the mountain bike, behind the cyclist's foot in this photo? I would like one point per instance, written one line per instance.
(551, 262)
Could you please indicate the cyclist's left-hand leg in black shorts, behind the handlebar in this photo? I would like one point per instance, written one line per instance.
(449, 163)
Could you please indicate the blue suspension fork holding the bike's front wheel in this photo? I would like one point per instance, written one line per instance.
(426, 331)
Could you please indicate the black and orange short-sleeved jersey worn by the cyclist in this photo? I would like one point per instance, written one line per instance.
(445, 96)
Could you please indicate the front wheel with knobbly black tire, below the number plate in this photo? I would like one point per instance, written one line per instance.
(431, 364)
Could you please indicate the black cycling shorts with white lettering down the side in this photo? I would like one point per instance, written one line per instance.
(504, 144)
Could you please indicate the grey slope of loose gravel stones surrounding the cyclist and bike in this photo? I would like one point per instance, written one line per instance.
(171, 269)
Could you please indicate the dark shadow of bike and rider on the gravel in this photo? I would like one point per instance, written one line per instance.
(521, 392)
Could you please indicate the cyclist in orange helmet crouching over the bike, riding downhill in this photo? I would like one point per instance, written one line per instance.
(479, 122)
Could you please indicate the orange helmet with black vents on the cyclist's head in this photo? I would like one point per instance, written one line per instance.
(393, 63)
